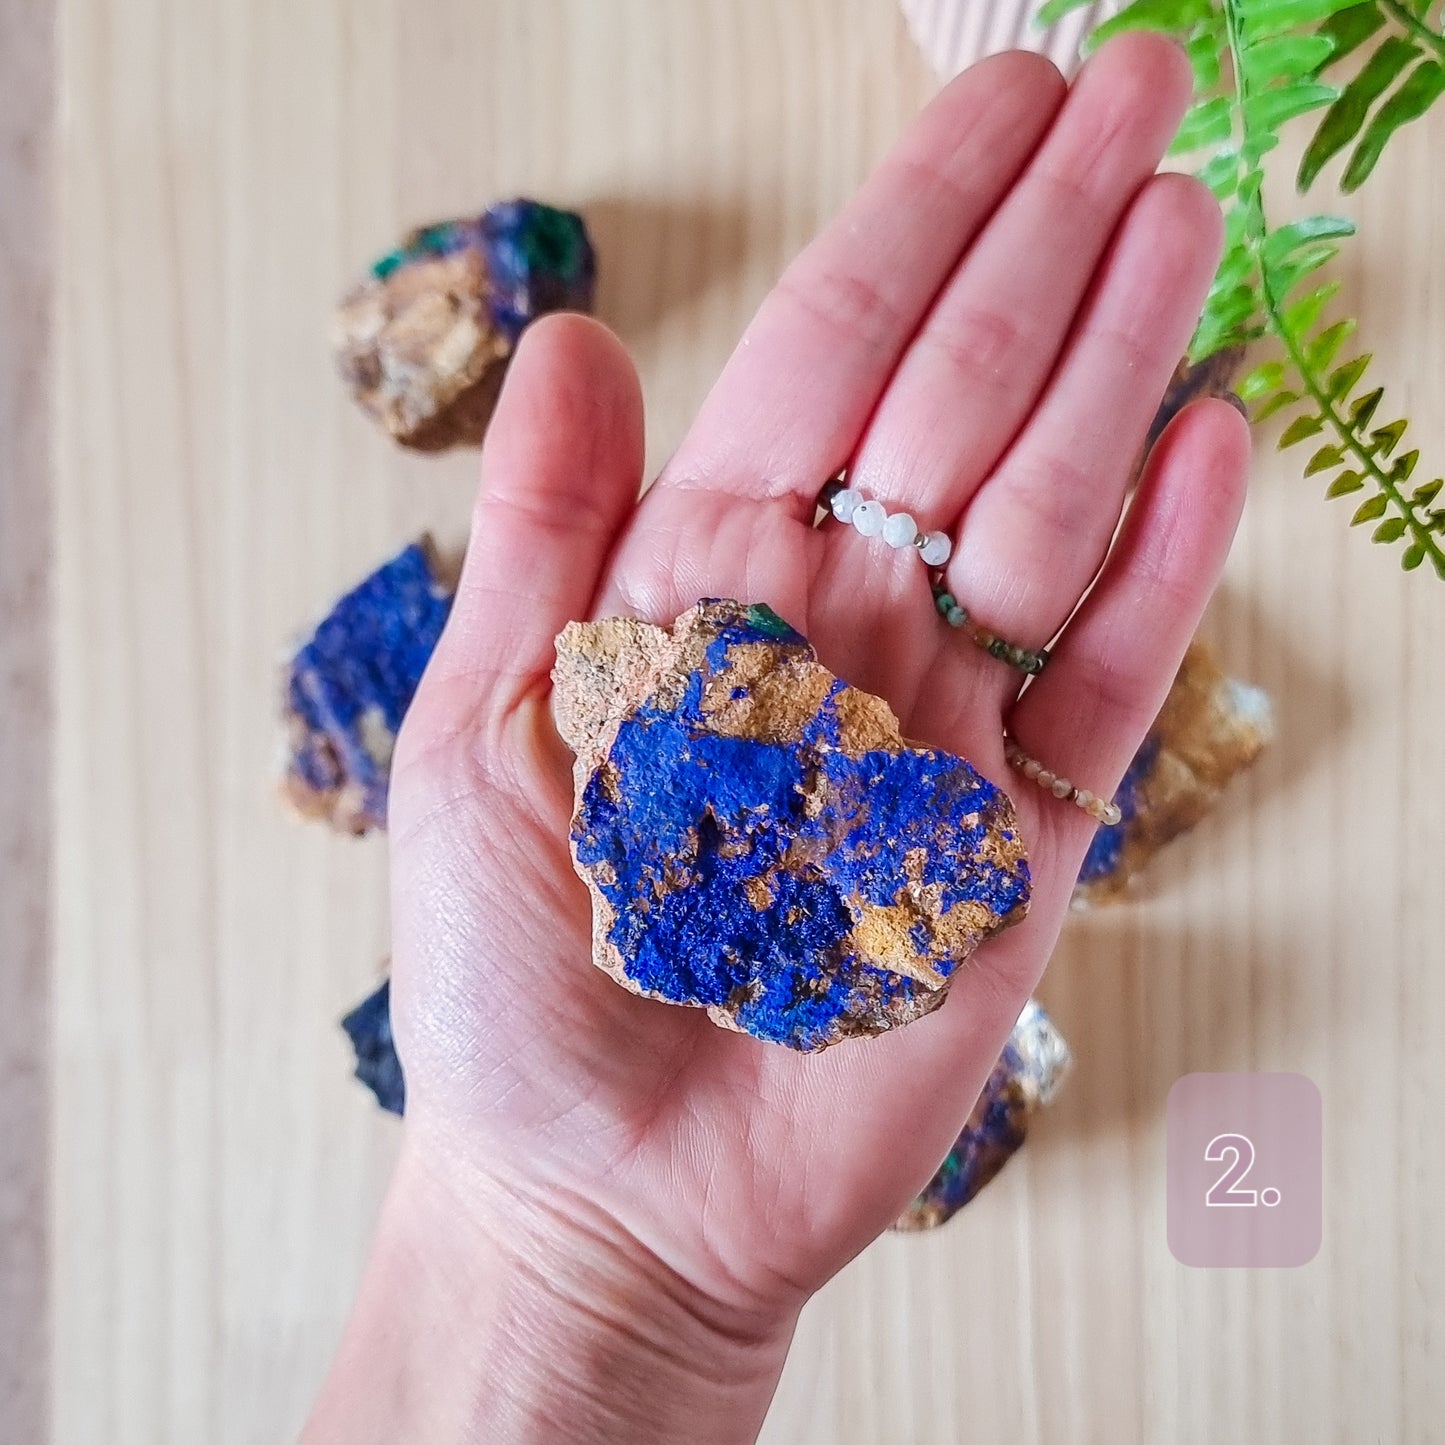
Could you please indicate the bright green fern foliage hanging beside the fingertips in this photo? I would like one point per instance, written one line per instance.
(1258, 66)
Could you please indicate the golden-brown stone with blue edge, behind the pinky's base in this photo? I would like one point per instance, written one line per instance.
(1210, 729)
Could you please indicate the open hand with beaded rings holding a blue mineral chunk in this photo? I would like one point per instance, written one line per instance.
(625, 1207)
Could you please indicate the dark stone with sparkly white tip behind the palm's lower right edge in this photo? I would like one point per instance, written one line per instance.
(1025, 1079)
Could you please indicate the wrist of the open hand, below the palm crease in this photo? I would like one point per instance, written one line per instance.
(492, 1314)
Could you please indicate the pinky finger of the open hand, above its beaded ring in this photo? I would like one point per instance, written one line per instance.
(1115, 664)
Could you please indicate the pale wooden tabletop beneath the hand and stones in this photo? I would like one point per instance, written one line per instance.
(222, 171)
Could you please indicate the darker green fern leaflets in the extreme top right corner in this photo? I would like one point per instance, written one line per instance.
(1401, 80)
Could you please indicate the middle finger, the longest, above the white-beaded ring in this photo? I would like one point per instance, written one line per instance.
(982, 359)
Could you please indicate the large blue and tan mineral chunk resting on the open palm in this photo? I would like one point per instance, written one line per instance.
(761, 842)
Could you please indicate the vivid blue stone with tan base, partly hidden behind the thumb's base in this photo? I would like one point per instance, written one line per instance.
(350, 684)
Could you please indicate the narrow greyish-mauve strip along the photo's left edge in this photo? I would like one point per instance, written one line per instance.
(27, 239)
